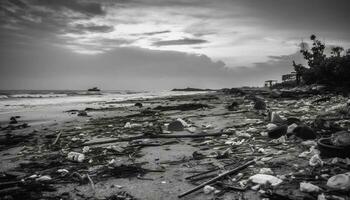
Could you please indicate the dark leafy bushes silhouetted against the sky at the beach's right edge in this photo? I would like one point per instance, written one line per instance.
(333, 70)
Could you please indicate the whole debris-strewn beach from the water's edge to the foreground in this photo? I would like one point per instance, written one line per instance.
(233, 144)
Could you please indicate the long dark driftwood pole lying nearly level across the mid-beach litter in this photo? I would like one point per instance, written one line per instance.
(144, 136)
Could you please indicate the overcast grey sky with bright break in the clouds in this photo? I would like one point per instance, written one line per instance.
(160, 44)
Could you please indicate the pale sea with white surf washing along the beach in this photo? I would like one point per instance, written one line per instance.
(39, 106)
